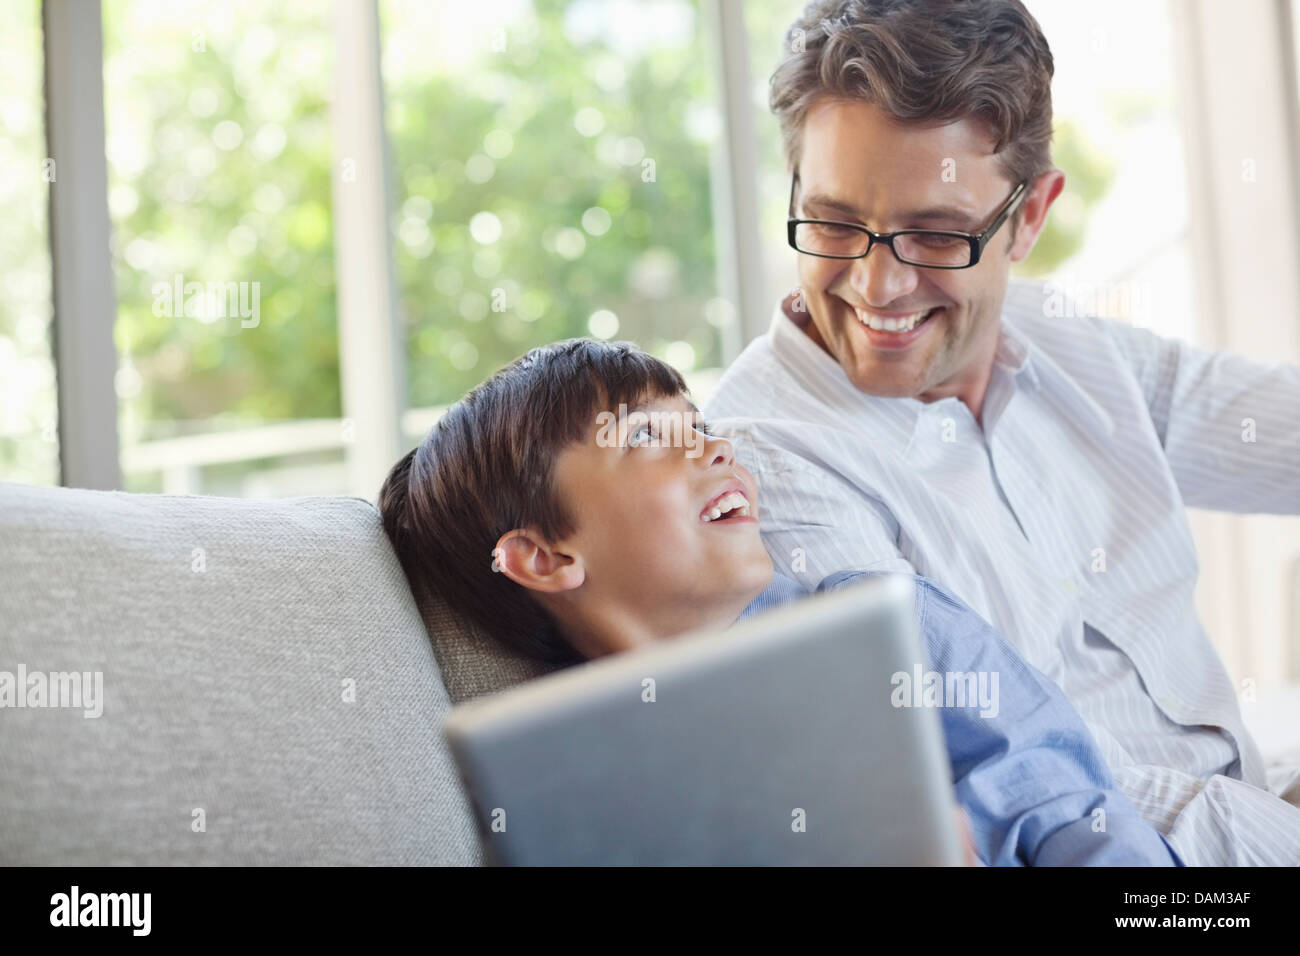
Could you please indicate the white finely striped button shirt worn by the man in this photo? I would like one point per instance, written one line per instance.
(1060, 521)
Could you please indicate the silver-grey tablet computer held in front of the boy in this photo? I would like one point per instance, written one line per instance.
(775, 742)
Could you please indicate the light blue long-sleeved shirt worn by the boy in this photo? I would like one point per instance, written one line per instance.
(1032, 777)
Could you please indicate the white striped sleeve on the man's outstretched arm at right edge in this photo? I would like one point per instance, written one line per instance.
(1228, 425)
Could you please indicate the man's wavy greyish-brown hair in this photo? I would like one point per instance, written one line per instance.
(929, 62)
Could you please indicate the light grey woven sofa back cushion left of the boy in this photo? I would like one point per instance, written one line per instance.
(226, 633)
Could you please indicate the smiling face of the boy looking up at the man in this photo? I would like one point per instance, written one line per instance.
(653, 559)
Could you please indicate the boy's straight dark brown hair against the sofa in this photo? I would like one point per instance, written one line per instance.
(489, 466)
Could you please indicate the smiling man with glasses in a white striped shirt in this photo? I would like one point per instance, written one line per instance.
(909, 412)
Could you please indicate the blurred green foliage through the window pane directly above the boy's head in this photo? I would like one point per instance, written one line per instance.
(493, 145)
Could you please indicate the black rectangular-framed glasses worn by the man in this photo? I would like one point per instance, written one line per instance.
(933, 249)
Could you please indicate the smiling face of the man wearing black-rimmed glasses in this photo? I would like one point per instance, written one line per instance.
(860, 166)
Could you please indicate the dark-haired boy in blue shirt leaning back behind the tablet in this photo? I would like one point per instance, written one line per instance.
(574, 507)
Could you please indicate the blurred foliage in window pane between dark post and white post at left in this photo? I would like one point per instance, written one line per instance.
(219, 148)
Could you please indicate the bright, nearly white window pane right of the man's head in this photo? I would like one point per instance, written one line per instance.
(1117, 237)
